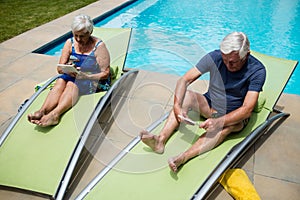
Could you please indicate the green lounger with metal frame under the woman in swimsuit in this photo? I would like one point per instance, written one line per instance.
(42, 160)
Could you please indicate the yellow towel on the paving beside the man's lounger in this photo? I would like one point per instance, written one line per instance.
(238, 185)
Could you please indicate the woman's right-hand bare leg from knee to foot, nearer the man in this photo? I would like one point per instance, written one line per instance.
(68, 98)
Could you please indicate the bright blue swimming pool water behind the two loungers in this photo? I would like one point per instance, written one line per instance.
(170, 36)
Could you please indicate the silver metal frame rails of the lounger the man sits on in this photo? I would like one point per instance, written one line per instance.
(231, 159)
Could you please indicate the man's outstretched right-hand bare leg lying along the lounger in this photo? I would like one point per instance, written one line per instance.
(206, 142)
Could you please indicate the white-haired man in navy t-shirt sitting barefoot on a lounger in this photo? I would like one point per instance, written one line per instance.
(236, 78)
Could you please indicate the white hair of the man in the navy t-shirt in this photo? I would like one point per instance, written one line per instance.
(235, 41)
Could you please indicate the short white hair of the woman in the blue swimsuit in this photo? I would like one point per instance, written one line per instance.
(82, 22)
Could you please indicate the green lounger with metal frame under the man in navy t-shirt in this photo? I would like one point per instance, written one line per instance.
(138, 173)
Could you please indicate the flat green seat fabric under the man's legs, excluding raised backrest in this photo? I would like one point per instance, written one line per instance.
(142, 174)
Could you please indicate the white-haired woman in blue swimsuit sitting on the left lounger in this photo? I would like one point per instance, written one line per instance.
(91, 58)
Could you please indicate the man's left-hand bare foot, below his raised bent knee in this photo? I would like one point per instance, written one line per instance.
(152, 141)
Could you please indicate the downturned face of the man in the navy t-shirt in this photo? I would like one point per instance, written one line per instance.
(233, 61)
